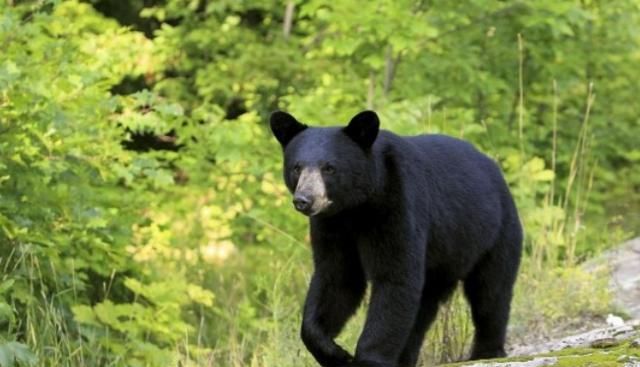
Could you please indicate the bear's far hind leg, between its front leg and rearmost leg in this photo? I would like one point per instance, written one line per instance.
(432, 296)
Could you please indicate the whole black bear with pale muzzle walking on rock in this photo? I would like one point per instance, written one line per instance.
(411, 215)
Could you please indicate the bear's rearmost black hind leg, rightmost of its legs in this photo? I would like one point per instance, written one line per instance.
(489, 289)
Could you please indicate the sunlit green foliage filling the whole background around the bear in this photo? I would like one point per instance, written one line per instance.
(192, 255)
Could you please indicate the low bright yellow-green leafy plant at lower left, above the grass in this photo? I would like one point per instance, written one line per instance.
(151, 326)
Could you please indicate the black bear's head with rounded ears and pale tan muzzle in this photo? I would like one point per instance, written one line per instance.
(327, 169)
